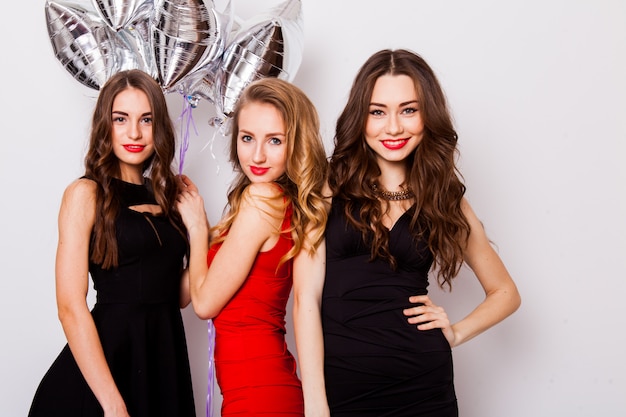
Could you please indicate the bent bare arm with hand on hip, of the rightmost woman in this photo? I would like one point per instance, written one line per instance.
(501, 295)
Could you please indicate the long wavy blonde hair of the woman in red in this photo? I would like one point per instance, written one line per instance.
(306, 167)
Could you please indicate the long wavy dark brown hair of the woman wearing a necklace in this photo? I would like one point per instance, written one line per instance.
(431, 169)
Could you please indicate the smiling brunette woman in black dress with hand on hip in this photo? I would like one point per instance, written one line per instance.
(398, 211)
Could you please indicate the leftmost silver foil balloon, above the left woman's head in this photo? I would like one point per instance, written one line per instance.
(81, 42)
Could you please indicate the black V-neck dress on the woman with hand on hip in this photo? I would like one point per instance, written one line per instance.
(376, 364)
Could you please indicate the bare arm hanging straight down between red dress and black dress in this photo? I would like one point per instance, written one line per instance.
(308, 282)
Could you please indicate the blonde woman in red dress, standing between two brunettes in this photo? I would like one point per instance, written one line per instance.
(267, 240)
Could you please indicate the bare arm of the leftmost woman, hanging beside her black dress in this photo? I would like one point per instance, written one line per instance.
(76, 220)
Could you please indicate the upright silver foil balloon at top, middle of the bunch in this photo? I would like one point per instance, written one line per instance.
(185, 36)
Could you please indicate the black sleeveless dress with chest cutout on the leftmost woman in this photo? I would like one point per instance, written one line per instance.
(139, 322)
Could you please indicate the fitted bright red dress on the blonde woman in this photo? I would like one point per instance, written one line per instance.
(254, 369)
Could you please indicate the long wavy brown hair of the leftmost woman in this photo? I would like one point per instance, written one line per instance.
(101, 164)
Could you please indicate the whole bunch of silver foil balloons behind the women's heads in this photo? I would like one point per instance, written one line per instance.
(181, 43)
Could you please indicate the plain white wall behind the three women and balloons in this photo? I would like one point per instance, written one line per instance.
(538, 92)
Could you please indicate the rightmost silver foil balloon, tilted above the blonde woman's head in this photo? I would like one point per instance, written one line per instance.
(267, 46)
